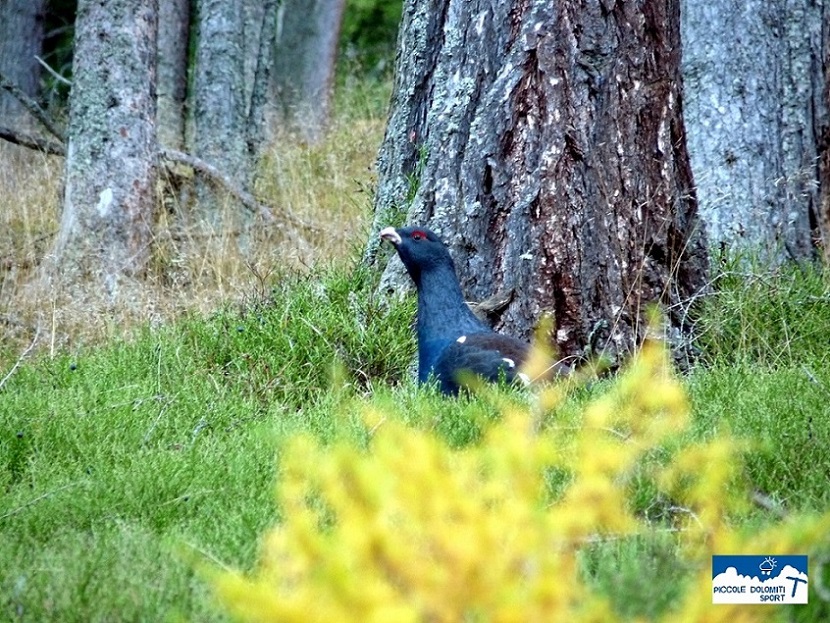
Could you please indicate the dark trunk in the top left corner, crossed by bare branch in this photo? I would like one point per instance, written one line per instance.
(21, 39)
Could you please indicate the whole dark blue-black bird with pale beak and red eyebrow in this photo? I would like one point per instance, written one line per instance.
(452, 341)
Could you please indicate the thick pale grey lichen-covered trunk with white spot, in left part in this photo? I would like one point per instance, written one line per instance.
(105, 231)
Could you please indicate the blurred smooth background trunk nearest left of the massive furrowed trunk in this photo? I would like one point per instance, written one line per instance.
(306, 50)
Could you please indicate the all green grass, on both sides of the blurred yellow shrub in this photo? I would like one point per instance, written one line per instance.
(120, 463)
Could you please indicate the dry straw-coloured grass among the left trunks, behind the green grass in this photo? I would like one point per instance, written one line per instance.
(321, 194)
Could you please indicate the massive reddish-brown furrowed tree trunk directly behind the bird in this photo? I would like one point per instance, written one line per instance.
(547, 146)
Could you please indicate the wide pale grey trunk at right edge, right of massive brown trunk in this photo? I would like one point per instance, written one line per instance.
(755, 105)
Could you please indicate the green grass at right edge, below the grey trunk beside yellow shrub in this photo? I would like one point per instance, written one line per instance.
(766, 377)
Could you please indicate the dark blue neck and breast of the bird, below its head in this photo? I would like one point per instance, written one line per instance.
(443, 316)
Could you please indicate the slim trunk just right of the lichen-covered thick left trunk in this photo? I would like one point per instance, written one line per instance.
(174, 30)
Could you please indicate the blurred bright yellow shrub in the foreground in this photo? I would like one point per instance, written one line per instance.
(410, 529)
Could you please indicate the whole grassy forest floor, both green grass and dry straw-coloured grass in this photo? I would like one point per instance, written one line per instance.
(141, 449)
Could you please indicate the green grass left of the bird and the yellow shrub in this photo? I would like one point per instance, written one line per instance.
(114, 458)
